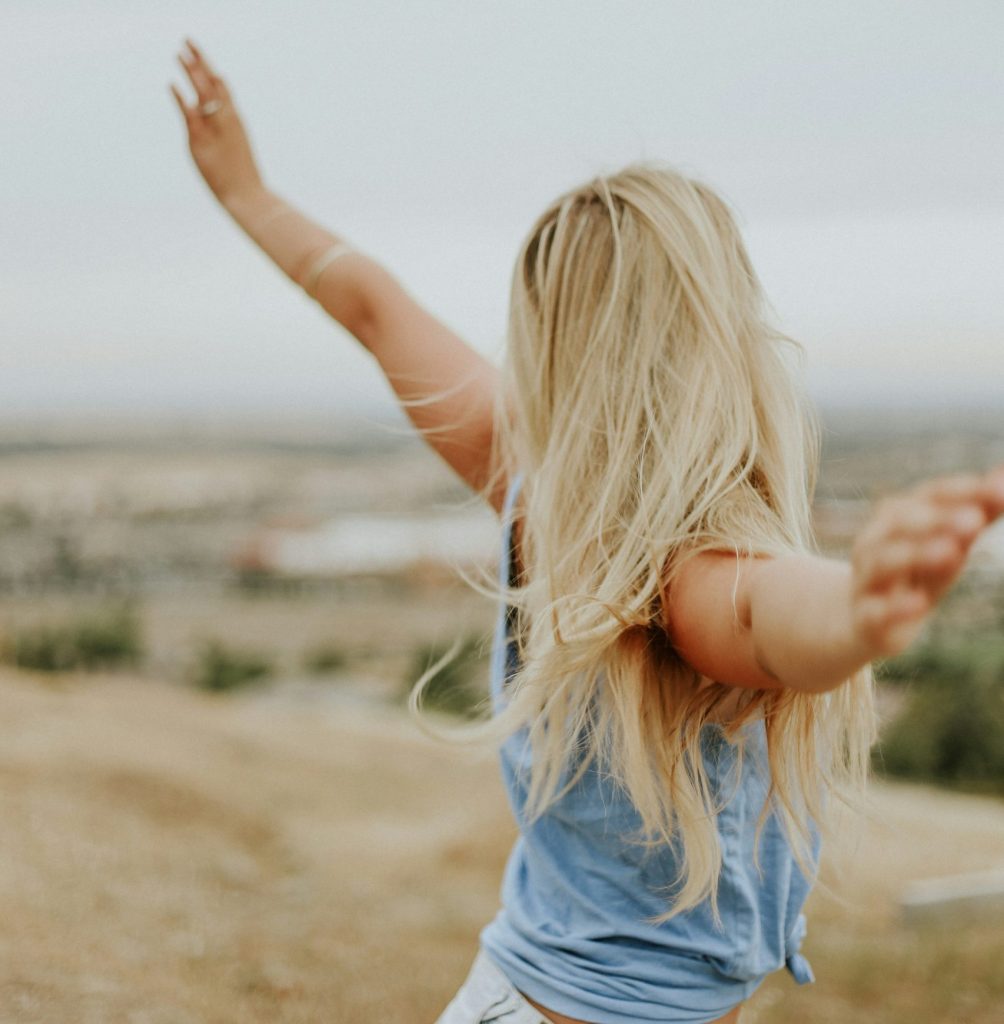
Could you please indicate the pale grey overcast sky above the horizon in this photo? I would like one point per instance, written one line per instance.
(861, 144)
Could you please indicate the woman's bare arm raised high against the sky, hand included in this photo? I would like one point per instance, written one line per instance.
(447, 389)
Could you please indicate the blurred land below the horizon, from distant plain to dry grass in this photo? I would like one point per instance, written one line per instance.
(218, 808)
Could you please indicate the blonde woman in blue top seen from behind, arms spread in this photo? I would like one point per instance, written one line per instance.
(681, 682)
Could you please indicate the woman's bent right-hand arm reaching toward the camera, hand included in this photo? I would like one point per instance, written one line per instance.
(809, 623)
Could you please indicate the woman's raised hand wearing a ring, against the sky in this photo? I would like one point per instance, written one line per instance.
(218, 141)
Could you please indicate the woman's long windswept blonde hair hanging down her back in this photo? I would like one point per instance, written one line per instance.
(649, 406)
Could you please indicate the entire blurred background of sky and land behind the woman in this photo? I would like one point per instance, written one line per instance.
(225, 558)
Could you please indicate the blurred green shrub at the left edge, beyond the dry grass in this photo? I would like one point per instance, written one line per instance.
(96, 642)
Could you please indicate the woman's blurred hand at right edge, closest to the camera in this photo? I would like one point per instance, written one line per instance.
(912, 550)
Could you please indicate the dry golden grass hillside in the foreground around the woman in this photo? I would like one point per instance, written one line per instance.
(171, 858)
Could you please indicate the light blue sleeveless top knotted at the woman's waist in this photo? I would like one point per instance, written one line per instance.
(572, 932)
